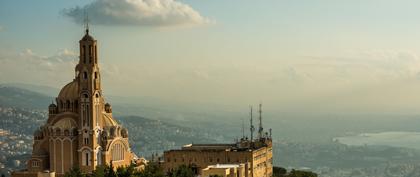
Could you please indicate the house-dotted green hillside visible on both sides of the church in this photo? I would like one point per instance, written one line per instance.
(23, 111)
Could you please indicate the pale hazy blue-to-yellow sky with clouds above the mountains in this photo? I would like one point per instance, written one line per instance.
(327, 56)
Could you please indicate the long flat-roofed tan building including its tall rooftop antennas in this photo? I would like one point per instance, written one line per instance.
(248, 158)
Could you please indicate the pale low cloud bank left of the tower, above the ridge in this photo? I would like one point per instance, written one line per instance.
(30, 67)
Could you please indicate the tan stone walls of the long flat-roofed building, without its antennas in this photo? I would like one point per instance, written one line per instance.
(258, 154)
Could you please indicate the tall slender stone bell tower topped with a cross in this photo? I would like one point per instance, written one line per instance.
(91, 103)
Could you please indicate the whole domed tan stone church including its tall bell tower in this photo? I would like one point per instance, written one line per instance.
(80, 130)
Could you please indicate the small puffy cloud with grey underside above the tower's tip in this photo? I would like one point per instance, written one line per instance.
(158, 13)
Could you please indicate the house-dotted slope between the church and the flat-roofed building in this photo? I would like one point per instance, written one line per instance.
(148, 136)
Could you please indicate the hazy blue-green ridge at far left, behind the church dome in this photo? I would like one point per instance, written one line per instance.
(22, 98)
